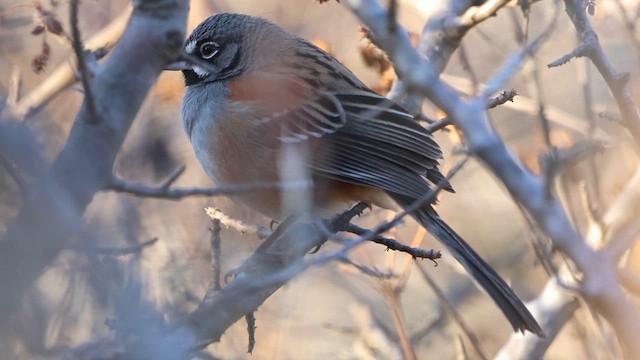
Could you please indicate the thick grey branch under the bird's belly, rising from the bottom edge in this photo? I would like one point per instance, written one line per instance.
(265, 271)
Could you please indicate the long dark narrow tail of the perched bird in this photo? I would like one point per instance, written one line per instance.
(511, 306)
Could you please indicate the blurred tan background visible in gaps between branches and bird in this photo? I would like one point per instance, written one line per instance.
(333, 311)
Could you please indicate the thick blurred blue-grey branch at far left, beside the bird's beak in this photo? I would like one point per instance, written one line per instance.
(52, 210)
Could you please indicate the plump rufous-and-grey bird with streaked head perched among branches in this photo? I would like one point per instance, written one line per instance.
(260, 102)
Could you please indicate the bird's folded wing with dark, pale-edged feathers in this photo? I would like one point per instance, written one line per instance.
(363, 138)
